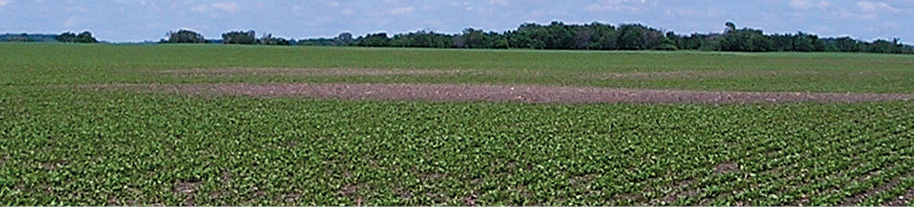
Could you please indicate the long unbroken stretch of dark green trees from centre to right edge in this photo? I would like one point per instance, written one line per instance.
(598, 36)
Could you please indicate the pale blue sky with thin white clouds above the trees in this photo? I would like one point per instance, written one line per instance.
(150, 20)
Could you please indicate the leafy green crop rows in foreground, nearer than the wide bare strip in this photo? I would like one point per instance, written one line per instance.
(69, 147)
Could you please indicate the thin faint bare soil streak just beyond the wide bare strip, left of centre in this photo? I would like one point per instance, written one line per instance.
(223, 72)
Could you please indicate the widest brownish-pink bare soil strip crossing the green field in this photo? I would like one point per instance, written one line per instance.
(496, 93)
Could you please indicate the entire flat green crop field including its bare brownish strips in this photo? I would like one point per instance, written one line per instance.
(237, 125)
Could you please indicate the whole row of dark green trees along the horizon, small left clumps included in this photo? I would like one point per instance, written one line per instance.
(557, 35)
